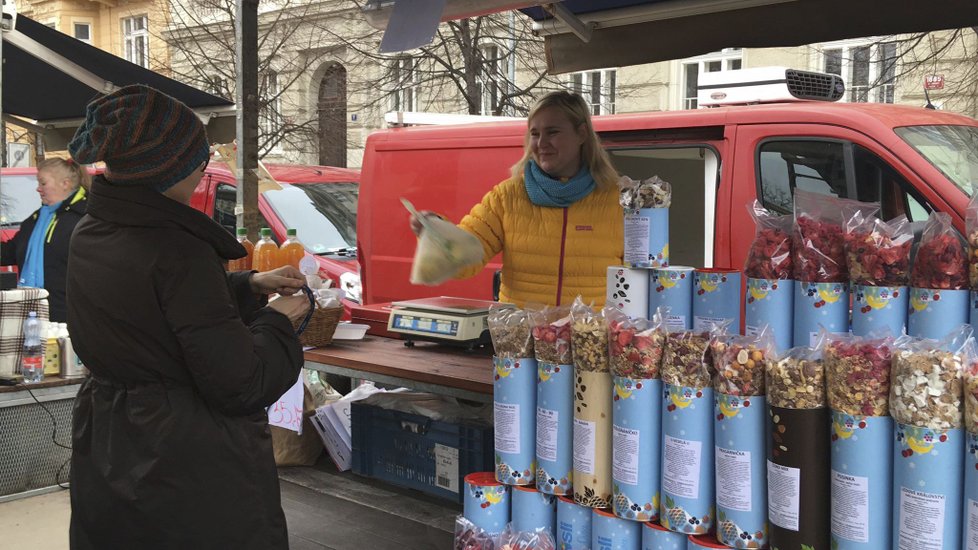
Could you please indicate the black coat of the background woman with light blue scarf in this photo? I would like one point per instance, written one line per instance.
(55, 249)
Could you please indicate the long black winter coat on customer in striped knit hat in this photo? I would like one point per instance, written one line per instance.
(171, 445)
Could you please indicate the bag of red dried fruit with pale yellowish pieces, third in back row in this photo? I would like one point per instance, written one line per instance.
(877, 260)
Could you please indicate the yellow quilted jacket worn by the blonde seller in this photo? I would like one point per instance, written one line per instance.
(550, 255)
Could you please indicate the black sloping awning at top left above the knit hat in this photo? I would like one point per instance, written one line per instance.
(39, 90)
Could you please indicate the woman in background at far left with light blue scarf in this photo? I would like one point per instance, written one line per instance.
(40, 247)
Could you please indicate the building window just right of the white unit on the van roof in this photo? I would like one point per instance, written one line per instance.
(868, 69)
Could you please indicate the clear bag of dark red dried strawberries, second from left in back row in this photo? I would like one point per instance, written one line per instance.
(819, 249)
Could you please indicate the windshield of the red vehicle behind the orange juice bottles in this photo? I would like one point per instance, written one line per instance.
(323, 214)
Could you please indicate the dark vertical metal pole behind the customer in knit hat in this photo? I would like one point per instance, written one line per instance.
(246, 97)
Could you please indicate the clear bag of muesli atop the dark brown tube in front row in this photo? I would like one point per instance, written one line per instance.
(796, 380)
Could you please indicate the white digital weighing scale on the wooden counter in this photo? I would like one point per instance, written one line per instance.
(447, 320)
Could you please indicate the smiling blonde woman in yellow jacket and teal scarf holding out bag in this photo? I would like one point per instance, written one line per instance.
(556, 220)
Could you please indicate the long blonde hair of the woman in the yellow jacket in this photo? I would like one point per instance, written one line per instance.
(578, 111)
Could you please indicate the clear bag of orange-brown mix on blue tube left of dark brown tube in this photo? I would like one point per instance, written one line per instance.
(741, 362)
